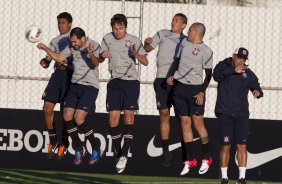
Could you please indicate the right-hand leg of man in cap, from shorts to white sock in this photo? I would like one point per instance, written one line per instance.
(241, 138)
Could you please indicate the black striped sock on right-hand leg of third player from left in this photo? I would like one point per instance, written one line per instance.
(127, 139)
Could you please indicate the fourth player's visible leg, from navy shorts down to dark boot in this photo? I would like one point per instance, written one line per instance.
(164, 102)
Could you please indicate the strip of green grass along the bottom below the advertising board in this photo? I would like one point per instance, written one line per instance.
(58, 177)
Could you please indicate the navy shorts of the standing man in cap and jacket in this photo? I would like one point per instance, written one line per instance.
(233, 129)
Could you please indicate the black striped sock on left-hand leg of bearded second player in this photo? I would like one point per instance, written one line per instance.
(73, 133)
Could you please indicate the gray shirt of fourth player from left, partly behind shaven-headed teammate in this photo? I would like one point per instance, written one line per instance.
(169, 44)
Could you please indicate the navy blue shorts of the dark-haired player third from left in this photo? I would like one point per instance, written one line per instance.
(122, 94)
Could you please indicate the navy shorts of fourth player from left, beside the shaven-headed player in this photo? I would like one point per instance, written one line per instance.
(163, 93)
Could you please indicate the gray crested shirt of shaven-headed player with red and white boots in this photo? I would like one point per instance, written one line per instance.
(194, 58)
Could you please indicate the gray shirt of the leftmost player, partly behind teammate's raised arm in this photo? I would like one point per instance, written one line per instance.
(59, 43)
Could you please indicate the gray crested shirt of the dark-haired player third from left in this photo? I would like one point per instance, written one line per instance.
(122, 64)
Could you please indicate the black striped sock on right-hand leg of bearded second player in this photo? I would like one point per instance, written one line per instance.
(89, 135)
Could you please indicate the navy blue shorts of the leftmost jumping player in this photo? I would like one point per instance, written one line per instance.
(57, 87)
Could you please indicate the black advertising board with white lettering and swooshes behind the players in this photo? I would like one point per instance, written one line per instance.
(23, 143)
